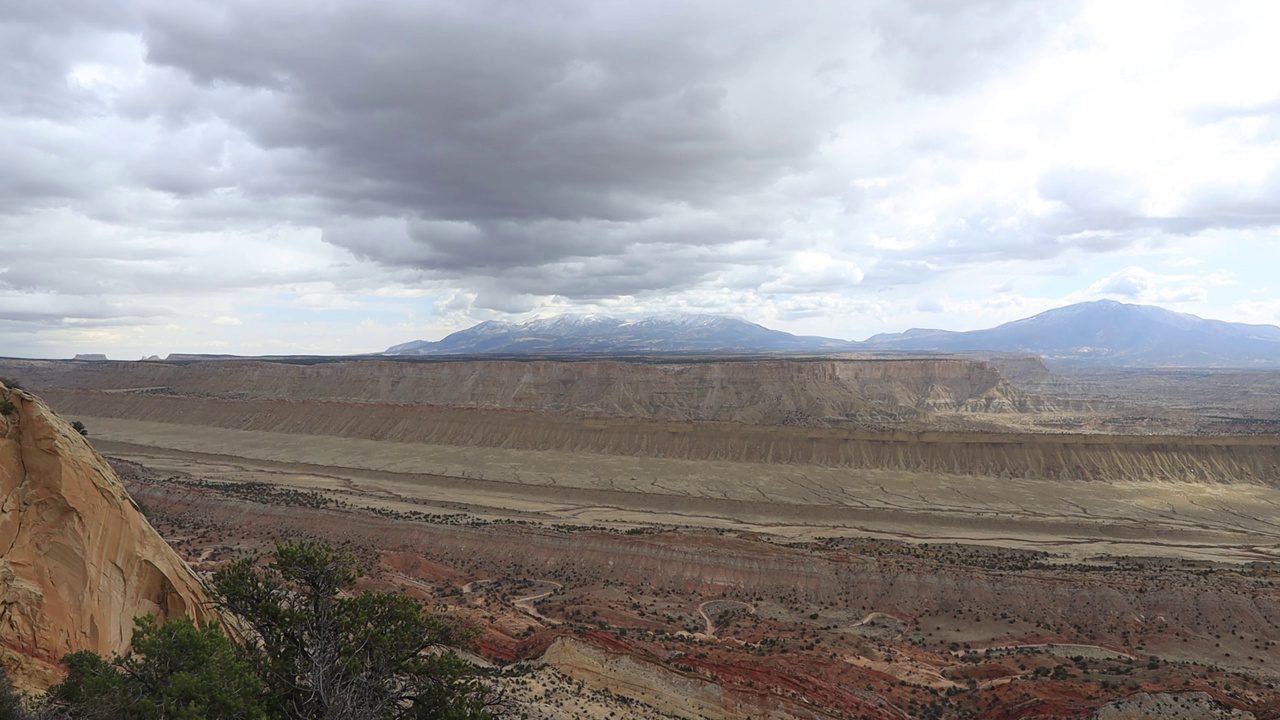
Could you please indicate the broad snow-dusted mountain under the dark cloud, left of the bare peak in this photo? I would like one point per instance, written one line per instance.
(602, 335)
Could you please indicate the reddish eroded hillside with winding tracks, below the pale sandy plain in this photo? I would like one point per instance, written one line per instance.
(662, 623)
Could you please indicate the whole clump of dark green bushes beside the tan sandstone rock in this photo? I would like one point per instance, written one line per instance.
(312, 650)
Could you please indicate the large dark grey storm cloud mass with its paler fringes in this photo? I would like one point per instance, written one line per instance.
(500, 140)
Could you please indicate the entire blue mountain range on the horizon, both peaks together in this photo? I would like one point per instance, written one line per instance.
(1103, 332)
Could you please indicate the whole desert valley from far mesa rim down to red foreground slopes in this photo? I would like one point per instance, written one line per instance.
(858, 535)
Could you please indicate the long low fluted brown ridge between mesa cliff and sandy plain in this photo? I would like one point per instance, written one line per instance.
(1068, 458)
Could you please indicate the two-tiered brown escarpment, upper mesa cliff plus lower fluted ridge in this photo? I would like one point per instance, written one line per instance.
(836, 413)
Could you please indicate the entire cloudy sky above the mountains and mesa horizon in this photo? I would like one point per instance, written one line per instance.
(340, 176)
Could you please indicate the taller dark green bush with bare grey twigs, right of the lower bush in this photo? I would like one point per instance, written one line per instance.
(322, 653)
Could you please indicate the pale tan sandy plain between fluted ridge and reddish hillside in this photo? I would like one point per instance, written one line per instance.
(1219, 522)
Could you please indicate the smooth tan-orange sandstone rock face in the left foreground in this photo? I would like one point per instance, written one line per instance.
(79, 562)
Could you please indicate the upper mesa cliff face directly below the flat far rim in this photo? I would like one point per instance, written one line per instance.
(776, 391)
